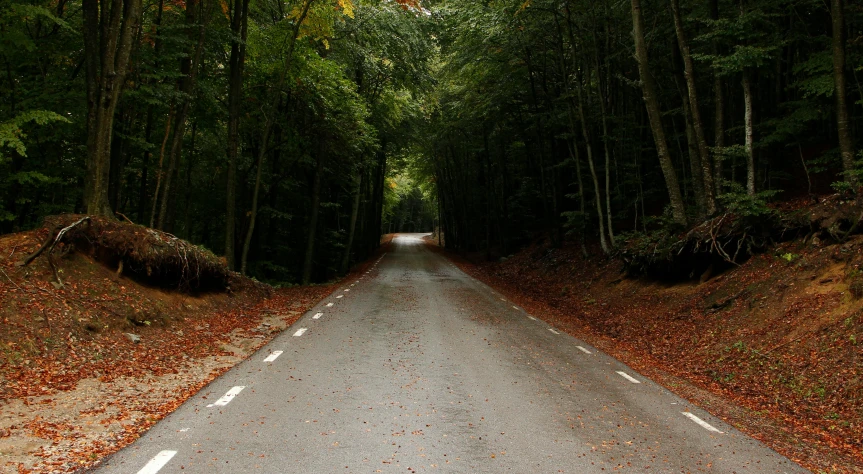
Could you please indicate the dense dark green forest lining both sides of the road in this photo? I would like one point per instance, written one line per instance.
(288, 135)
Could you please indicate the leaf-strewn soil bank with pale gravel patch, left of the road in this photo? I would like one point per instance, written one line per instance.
(74, 387)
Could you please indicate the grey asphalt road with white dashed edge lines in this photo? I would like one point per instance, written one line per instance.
(417, 367)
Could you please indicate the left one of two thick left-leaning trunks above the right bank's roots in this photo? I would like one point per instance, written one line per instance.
(651, 102)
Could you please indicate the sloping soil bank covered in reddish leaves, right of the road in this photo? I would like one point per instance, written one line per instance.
(774, 347)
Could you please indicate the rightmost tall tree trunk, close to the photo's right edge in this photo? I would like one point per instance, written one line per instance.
(846, 144)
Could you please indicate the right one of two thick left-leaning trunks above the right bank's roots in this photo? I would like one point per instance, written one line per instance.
(697, 123)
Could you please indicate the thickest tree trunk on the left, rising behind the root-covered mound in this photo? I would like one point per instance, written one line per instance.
(109, 29)
